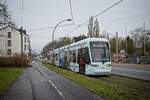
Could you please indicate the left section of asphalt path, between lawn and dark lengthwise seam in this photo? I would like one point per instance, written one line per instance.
(21, 89)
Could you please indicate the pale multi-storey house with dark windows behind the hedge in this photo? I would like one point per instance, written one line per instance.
(14, 41)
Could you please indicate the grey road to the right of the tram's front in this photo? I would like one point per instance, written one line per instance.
(132, 70)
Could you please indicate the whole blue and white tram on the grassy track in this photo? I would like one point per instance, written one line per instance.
(90, 56)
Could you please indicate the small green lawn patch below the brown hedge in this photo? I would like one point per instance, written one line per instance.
(7, 76)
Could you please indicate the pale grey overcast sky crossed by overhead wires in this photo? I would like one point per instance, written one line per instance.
(38, 15)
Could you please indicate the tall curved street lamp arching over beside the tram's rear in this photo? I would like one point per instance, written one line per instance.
(54, 32)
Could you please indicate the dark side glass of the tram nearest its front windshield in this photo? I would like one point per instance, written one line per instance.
(83, 53)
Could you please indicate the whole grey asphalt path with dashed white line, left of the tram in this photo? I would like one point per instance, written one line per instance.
(39, 83)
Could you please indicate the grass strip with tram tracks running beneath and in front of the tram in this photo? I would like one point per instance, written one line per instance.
(110, 87)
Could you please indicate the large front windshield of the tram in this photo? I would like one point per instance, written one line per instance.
(100, 51)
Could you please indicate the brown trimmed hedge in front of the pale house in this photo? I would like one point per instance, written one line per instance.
(14, 61)
